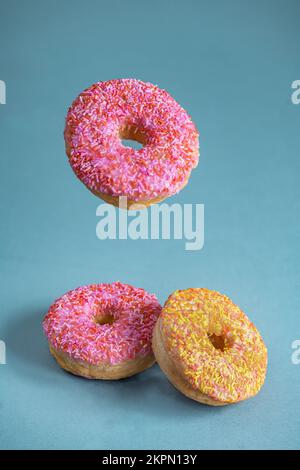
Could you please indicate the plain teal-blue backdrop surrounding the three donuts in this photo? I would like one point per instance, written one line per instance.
(231, 65)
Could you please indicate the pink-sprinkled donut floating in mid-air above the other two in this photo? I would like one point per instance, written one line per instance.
(107, 112)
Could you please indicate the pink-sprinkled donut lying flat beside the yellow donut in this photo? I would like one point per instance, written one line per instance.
(103, 331)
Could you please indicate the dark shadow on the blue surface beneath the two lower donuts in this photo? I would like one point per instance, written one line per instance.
(148, 392)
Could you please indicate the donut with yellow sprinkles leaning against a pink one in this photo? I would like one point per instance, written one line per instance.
(208, 348)
